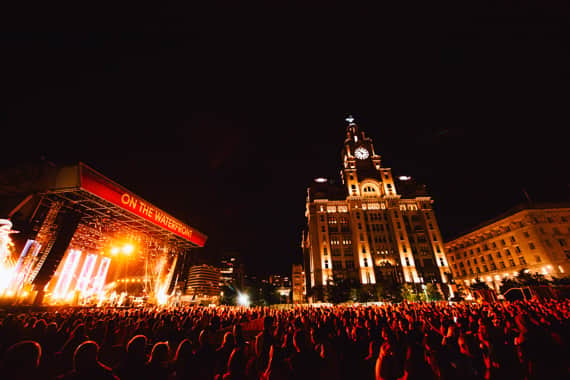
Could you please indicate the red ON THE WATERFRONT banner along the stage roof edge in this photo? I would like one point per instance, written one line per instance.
(102, 187)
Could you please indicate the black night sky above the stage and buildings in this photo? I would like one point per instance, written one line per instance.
(223, 114)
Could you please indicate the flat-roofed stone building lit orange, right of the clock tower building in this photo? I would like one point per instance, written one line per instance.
(535, 237)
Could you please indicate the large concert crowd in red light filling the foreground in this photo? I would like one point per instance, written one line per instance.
(504, 340)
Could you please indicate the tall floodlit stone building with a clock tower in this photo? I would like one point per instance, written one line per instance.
(372, 226)
